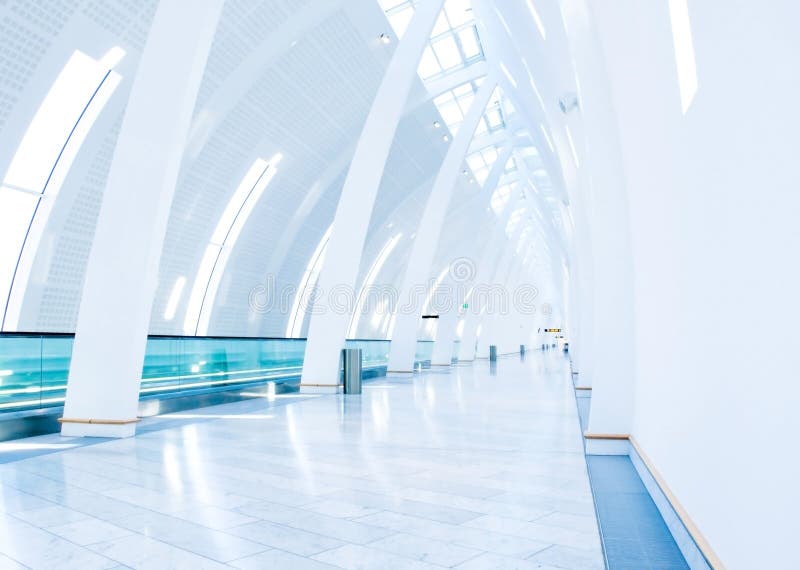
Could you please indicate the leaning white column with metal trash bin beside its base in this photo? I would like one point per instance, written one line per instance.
(328, 326)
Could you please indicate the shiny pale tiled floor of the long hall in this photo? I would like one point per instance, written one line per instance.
(475, 467)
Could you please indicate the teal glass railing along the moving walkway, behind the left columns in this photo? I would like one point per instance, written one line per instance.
(34, 367)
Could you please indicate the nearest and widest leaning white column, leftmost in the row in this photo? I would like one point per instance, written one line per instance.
(122, 269)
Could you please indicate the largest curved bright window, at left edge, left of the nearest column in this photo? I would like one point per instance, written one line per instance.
(42, 162)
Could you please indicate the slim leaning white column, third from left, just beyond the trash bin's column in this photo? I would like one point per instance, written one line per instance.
(418, 269)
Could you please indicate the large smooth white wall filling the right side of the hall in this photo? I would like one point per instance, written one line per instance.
(713, 207)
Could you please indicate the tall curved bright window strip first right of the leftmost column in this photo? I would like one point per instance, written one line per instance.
(229, 226)
